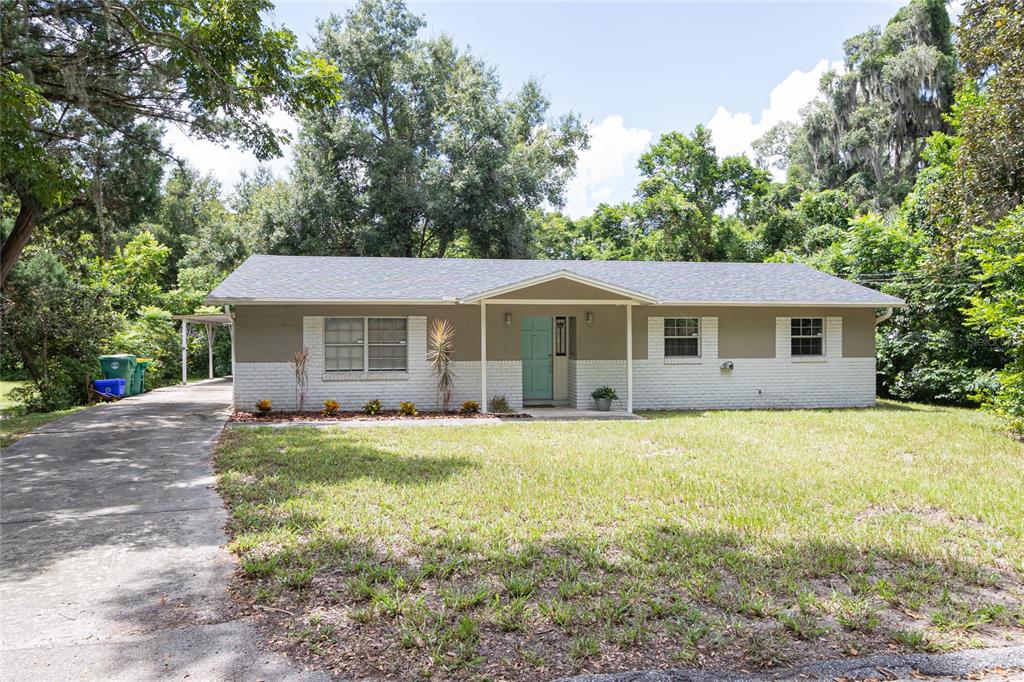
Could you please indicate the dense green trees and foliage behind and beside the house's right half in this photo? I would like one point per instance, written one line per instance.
(907, 176)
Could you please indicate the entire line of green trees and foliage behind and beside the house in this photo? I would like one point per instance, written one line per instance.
(907, 176)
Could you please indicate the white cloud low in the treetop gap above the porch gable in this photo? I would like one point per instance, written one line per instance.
(606, 173)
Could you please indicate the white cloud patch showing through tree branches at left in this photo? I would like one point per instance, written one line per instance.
(228, 163)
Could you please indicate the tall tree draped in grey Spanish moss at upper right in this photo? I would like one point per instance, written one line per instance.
(868, 133)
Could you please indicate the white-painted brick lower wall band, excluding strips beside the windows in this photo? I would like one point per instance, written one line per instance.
(754, 383)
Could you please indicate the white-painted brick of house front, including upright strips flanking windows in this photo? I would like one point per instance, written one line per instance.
(832, 381)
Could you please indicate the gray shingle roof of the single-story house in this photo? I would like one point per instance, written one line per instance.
(323, 279)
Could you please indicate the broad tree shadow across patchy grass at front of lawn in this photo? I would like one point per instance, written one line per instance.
(660, 595)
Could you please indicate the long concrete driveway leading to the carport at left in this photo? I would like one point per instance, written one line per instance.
(112, 548)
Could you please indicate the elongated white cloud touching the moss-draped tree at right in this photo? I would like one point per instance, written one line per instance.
(735, 133)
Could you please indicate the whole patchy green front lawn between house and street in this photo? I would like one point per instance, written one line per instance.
(724, 540)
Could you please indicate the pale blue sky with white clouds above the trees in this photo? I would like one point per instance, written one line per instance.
(634, 70)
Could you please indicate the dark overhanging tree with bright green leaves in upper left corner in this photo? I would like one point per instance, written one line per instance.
(68, 68)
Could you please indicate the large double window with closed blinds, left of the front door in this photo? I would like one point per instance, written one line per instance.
(359, 345)
